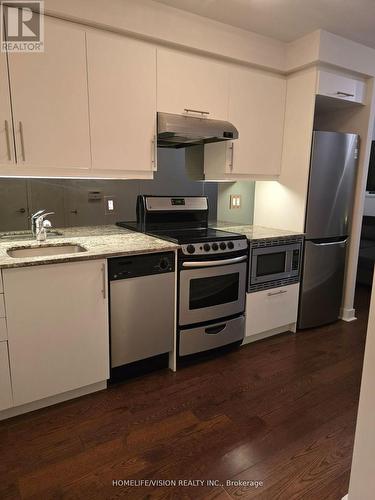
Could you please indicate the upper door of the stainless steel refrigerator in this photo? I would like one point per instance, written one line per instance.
(331, 184)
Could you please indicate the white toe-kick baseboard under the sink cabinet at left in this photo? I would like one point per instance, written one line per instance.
(59, 398)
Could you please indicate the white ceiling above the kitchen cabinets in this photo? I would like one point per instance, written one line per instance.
(287, 20)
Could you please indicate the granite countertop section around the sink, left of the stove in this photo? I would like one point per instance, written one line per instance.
(99, 241)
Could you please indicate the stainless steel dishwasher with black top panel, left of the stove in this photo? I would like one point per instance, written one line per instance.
(142, 298)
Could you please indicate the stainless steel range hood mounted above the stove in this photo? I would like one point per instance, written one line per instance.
(181, 131)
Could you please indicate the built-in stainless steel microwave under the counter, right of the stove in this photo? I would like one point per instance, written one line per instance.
(275, 262)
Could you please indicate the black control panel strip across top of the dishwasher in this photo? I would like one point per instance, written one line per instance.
(120, 268)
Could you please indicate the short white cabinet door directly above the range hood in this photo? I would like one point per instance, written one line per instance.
(192, 82)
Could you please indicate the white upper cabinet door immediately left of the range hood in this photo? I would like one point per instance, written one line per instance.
(122, 90)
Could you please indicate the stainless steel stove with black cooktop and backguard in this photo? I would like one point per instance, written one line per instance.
(212, 270)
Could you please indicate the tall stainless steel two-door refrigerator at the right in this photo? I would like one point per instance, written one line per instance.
(329, 206)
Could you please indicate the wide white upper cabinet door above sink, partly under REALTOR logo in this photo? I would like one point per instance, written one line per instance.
(50, 101)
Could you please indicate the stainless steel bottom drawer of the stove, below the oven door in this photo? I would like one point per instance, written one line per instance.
(193, 340)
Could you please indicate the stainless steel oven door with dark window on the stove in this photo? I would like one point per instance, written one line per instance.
(212, 290)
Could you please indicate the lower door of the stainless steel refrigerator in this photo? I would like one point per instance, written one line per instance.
(322, 283)
